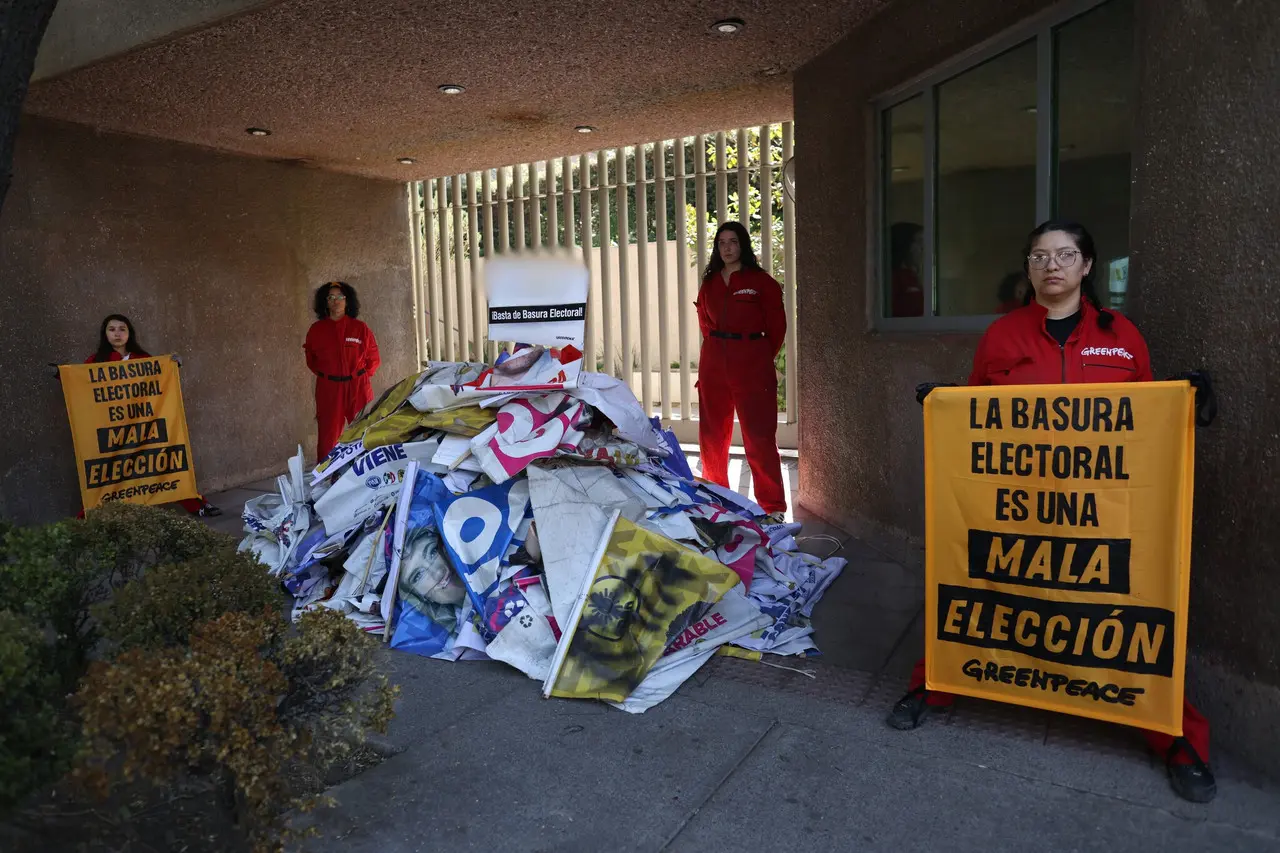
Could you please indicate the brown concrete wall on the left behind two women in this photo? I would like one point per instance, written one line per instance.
(212, 257)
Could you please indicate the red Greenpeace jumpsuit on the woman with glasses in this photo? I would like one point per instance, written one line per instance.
(1020, 350)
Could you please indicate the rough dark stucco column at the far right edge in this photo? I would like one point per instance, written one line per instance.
(1206, 189)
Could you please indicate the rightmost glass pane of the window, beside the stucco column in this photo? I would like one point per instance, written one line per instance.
(1095, 136)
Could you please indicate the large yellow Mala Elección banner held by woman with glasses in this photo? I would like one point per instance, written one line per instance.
(1058, 548)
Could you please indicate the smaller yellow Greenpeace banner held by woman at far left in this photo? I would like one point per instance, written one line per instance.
(130, 431)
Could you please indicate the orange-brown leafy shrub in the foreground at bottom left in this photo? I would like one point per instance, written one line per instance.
(241, 706)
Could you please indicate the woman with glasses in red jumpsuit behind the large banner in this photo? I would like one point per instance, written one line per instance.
(1066, 336)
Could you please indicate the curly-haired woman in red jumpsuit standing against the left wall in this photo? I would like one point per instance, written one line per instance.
(344, 355)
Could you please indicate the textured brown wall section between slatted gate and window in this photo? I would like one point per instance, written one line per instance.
(862, 463)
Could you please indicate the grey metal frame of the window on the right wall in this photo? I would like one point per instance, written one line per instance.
(1043, 29)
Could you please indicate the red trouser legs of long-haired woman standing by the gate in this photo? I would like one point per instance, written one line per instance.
(753, 393)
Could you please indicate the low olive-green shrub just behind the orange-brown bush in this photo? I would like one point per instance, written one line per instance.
(166, 605)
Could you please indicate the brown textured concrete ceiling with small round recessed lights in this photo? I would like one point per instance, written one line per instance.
(351, 85)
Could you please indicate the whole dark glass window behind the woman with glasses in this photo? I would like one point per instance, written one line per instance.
(1040, 125)
